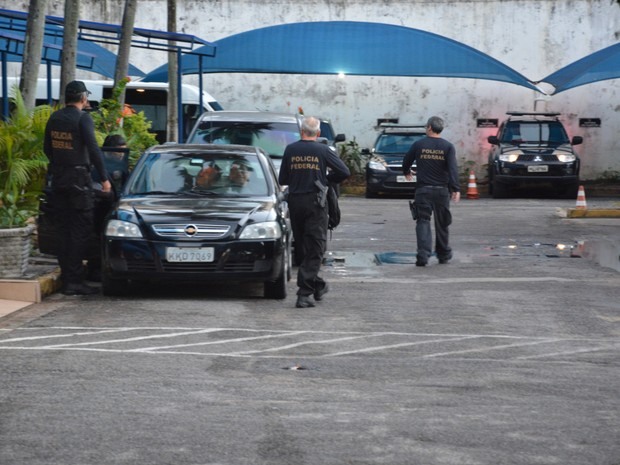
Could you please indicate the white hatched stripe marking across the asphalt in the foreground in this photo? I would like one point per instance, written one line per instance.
(573, 345)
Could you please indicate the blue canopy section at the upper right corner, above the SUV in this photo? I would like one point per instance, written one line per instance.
(599, 66)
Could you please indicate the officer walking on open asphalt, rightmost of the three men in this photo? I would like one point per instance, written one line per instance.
(437, 184)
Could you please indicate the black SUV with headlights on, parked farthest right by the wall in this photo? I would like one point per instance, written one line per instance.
(533, 149)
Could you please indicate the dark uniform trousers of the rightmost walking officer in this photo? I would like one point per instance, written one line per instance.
(433, 201)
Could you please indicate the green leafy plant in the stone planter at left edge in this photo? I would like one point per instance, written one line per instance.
(22, 162)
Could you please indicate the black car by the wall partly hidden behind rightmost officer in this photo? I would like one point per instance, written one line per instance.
(384, 173)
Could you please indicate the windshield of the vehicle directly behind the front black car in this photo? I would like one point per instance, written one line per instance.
(271, 137)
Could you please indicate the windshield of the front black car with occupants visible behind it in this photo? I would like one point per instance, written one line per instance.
(198, 174)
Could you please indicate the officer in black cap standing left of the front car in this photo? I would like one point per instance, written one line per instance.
(71, 147)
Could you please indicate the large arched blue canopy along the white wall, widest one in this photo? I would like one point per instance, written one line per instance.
(353, 48)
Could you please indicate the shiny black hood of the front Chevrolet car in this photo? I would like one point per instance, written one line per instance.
(161, 209)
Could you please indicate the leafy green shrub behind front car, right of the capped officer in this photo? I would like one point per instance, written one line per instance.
(114, 118)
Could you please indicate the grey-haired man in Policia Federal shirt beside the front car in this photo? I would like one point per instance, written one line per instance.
(304, 171)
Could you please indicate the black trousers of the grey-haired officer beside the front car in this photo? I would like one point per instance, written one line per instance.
(309, 223)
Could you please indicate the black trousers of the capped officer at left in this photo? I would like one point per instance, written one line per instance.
(74, 223)
